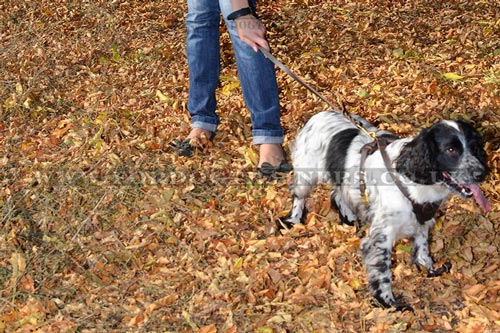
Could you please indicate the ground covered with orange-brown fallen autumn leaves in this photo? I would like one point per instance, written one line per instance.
(104, 228)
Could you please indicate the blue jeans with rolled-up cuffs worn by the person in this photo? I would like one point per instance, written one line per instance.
(256, 73)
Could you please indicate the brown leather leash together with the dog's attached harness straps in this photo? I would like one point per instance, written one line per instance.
(423, 212)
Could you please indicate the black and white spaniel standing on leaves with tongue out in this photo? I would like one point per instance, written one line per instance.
(445, 158)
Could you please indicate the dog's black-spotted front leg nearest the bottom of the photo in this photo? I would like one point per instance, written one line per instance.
(376, 251)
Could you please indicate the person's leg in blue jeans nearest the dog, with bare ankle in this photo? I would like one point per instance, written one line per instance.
(260, 91)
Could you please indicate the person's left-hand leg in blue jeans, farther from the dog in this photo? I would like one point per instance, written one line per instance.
(203, 54)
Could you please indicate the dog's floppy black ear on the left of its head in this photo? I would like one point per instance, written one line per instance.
(417, 158)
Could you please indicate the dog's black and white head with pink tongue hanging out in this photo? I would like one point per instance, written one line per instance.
(449, 153)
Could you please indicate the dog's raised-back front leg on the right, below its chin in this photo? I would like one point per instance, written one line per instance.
(420, 254)
